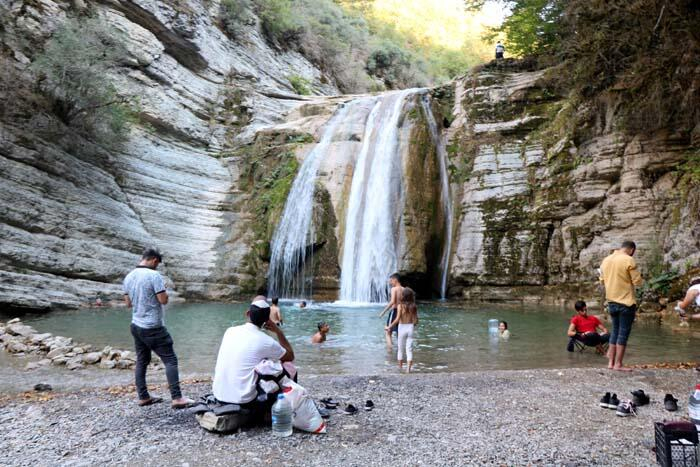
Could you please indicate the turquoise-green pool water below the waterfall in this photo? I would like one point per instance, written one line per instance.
(449, 338)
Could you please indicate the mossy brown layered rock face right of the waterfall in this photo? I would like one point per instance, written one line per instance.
(540, 209)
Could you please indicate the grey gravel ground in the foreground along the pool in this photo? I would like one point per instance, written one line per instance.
(542, 417)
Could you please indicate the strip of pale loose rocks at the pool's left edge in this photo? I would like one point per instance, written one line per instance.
(23, 340)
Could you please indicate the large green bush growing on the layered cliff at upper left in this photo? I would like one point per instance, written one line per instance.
(75, 69)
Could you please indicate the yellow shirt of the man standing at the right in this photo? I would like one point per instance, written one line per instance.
(619, 275)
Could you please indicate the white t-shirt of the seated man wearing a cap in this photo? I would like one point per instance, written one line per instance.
(241, 349)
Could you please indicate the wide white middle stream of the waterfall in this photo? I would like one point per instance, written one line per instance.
(375, 206)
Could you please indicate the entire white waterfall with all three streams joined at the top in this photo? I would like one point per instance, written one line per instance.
(370, 246)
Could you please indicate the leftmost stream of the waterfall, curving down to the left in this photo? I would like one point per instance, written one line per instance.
(294, 233)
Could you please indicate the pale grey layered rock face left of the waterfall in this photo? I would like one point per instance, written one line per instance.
(74, 216)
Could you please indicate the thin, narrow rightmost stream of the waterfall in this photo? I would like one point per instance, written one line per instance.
(445, 196)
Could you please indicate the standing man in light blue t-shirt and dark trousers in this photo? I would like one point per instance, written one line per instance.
(144, 292)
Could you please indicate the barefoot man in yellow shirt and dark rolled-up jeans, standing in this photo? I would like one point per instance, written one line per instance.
(619, 276)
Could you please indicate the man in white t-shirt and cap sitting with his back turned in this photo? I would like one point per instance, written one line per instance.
(242, 348)
